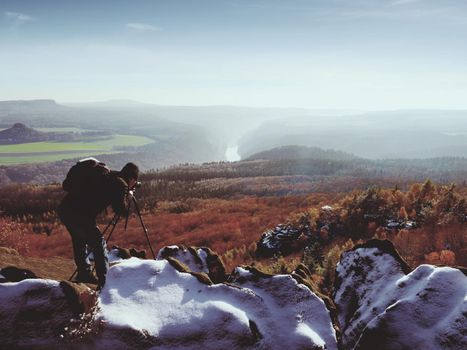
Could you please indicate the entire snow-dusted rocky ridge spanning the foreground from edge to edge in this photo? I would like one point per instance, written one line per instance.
(184, 299)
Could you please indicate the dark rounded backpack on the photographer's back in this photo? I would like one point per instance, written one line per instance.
(85, 176)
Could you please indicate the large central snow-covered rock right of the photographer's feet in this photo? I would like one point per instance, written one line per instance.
(147, 303)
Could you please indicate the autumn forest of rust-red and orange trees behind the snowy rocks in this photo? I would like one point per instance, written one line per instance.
(229, 206)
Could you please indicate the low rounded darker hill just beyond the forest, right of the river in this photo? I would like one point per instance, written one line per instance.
(293, 152)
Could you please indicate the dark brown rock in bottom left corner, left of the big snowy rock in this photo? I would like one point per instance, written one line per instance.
(35, 312)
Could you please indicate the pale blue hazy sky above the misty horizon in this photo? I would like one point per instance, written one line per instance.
(358, 54)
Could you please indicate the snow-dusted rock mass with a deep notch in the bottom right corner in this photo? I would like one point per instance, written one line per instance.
(383, 305)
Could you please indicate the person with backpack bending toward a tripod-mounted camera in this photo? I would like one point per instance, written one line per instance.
(91, 188)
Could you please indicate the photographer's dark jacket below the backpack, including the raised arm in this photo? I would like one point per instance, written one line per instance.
(88, 204)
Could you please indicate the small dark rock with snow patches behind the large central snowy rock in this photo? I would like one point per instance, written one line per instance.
(198, 260)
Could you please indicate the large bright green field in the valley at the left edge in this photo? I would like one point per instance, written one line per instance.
(36, 152)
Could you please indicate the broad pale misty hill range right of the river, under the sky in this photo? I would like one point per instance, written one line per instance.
(374, 135)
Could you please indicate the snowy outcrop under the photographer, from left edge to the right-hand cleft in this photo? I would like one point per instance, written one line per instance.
(177, 302)
